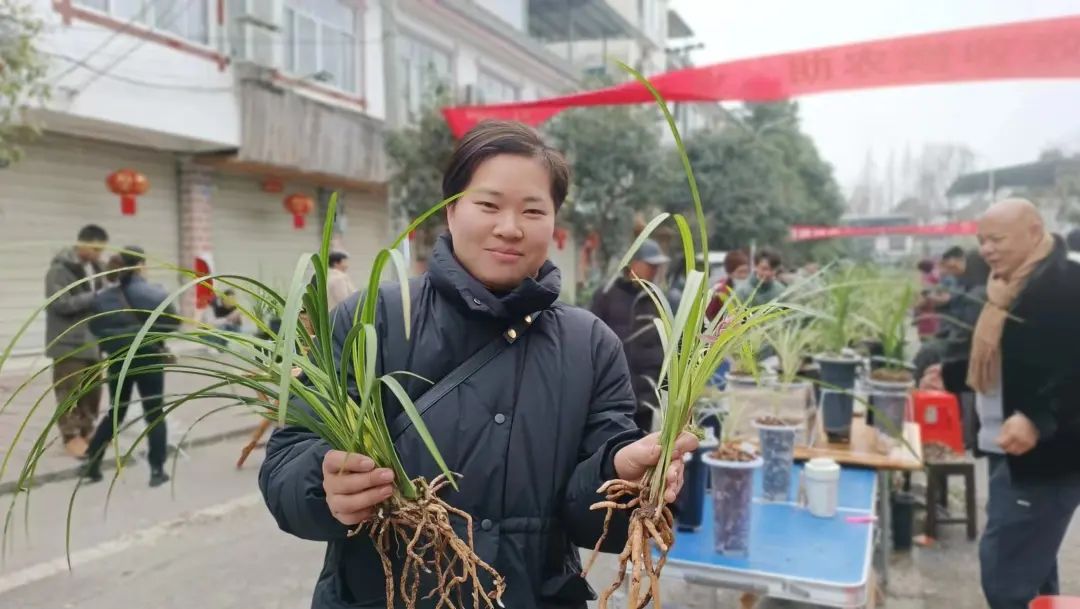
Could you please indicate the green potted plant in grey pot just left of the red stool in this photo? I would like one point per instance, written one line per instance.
(890, 382)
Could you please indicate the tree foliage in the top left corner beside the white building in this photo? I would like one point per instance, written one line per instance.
(23, 71)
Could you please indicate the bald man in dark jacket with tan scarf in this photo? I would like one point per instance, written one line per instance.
(1025, 371)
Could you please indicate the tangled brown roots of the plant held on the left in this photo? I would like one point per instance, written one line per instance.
(423, 529)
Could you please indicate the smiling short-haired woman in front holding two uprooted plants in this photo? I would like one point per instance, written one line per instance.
(534, 432)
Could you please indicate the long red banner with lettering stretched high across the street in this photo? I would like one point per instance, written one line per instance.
(1048, 49)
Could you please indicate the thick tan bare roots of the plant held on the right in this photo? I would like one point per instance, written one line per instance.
(652, 526)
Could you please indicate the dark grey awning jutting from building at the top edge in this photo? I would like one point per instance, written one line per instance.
(571, 21)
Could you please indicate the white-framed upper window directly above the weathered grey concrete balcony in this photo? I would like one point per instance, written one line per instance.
(321, 42)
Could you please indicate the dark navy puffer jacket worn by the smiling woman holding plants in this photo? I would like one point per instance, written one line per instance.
(534, 434)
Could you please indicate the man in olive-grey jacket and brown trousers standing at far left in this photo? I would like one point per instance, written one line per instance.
(69, 342)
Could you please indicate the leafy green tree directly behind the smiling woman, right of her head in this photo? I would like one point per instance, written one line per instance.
(617, 165)
